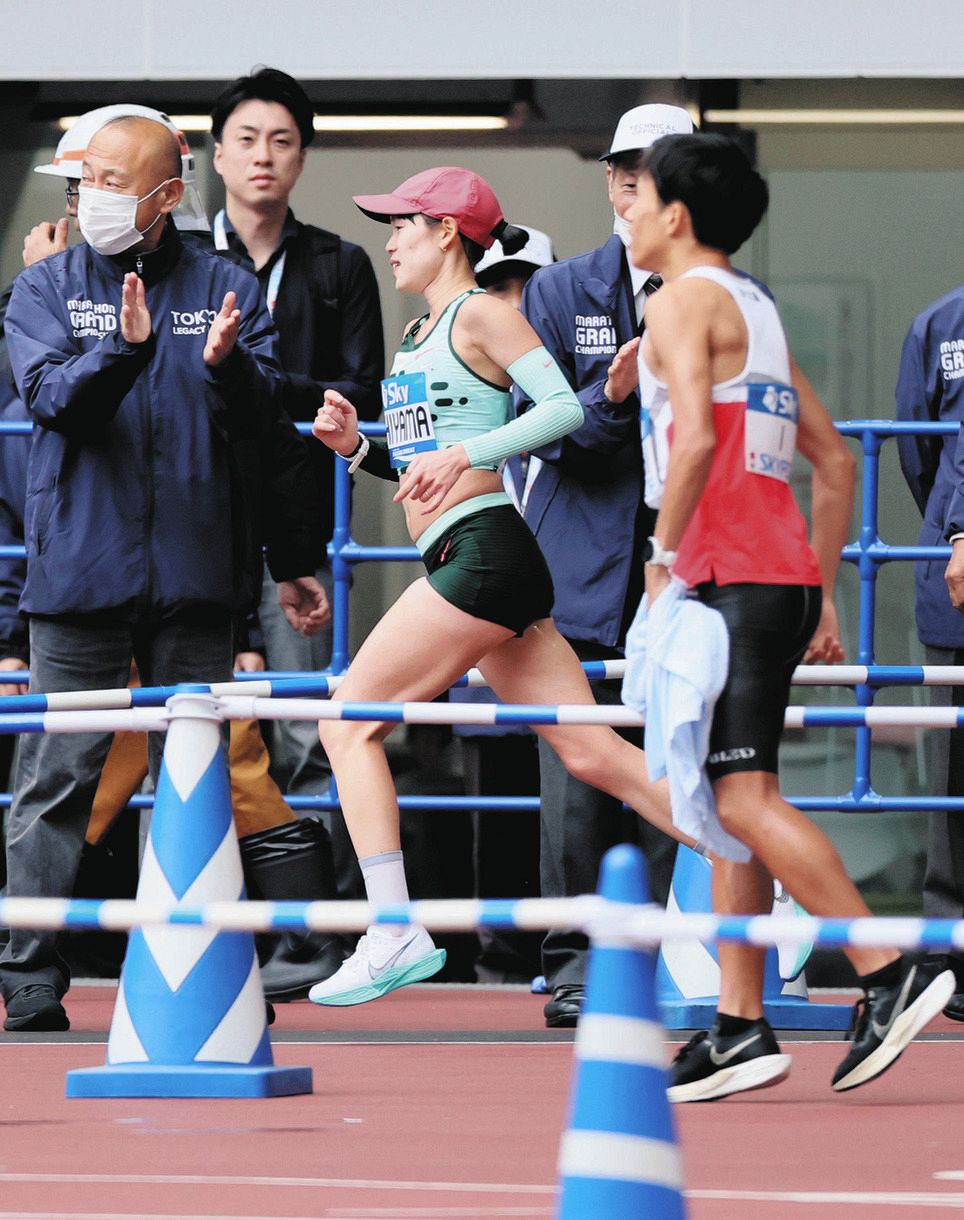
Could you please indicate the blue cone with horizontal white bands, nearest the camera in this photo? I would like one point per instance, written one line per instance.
(619, 1158)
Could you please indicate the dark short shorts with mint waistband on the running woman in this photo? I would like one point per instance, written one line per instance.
(490, 565)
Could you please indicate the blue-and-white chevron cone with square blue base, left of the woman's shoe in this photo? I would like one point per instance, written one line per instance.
(190, 1018)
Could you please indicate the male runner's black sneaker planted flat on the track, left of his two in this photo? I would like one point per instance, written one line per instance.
(711, 1066)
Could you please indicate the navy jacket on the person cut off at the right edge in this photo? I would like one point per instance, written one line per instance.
(930, 387)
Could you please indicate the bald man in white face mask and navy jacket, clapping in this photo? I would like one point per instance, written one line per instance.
(149, 369)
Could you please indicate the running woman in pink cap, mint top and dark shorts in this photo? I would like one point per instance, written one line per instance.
(487, 596)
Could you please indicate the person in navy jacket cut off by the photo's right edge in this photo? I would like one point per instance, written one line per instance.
(930, 389)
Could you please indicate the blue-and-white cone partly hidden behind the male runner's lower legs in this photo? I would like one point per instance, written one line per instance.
(689, 972)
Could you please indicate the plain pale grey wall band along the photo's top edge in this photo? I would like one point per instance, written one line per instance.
(669, 40)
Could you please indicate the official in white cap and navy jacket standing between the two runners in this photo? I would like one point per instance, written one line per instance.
(584, 500)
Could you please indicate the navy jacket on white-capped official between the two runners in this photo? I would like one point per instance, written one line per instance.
(586, 508)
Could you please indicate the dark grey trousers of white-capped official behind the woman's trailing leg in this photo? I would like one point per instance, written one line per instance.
(578, 827)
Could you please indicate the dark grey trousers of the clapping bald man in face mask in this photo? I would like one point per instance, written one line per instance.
(58, 774)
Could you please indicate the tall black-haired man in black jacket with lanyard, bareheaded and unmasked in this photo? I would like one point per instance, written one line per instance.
(323, 295)
